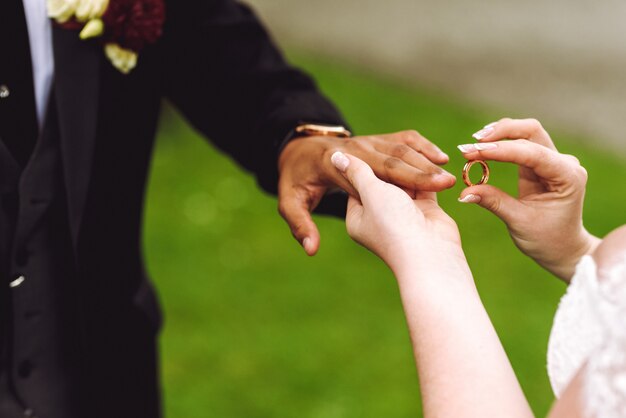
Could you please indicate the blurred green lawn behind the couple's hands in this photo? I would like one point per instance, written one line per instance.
(254, 328)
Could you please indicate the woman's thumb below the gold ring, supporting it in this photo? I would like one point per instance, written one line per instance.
(494, 200)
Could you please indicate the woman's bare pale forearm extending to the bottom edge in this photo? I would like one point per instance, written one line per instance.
(462, 366)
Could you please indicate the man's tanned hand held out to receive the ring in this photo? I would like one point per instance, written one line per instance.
(405, 159)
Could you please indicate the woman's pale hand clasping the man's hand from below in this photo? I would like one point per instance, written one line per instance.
(403, 230)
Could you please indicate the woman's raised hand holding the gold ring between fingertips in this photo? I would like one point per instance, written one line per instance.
(545, 221)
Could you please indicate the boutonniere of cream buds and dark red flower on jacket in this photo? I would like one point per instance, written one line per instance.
(125, 27)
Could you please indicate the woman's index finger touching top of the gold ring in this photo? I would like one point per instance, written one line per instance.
(544, 162)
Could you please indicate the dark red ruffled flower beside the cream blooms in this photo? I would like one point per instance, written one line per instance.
(133, 23)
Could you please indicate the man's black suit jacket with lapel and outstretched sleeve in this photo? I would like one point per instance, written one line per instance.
(218, 66)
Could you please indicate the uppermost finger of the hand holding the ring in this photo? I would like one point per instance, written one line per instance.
(529, 129)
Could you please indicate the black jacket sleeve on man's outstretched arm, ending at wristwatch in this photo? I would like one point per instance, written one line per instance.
(224, 73)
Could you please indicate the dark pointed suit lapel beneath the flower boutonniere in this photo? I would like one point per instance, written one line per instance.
(77, 85)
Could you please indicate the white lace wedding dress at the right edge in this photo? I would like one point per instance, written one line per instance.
(590, 329)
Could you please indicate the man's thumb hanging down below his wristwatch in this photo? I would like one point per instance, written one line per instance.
(295, 205)
